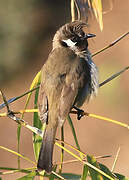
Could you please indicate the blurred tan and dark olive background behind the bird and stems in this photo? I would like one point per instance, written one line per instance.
(26, 32)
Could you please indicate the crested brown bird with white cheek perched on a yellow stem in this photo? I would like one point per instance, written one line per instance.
(69, 78)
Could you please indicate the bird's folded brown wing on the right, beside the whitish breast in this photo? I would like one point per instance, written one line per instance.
(75, 82)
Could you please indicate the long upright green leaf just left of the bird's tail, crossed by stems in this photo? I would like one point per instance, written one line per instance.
(37, 140)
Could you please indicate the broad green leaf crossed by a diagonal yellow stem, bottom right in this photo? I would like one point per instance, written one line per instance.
(94, 174)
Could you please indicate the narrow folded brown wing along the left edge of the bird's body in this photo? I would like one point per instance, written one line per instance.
(43, 104)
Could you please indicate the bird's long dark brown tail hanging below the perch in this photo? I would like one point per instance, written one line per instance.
(46, 151)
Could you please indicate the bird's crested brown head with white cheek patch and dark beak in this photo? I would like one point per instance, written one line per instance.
(73, 36)
